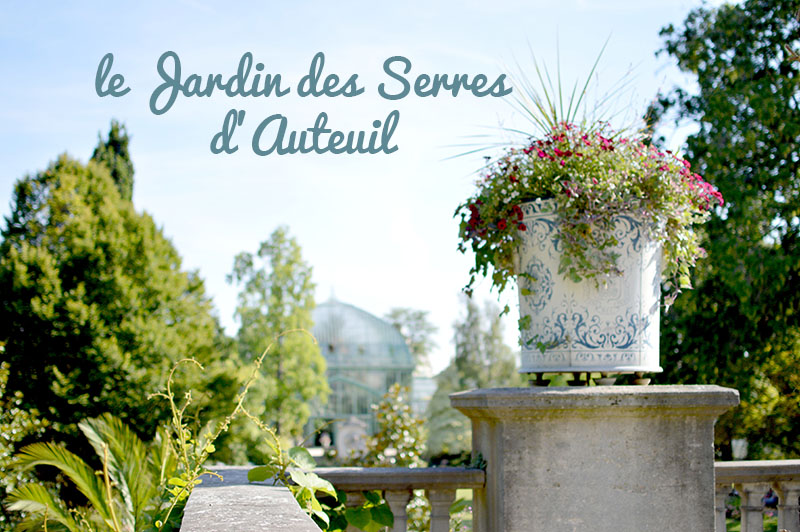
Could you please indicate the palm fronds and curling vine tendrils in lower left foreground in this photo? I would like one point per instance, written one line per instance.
(143, 487)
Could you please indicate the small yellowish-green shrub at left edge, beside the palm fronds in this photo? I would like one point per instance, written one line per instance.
(16, 425)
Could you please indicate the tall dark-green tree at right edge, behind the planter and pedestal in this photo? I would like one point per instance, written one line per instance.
(743, 312)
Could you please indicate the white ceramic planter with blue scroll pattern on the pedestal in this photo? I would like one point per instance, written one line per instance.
(585, 328)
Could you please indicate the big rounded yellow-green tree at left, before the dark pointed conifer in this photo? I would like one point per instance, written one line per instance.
(96, 306)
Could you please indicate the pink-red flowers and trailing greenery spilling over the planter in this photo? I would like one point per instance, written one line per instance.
(592, 175)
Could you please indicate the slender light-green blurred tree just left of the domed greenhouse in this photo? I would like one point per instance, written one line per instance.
(277, 296)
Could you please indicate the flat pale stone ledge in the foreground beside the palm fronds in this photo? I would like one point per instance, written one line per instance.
(238, 505)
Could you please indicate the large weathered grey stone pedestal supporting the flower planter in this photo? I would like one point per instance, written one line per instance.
(599, 459)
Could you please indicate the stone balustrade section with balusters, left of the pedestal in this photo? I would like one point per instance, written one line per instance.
(398, 483)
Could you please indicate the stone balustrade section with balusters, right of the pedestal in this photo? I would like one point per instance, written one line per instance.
(752, 479)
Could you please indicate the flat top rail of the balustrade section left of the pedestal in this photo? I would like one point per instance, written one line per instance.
(401, 478)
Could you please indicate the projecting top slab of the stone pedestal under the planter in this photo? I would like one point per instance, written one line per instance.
(502, 402)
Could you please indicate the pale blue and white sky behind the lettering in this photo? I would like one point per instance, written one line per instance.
(378, 229)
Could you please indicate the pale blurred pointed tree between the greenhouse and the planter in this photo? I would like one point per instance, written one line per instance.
(482, 360)
